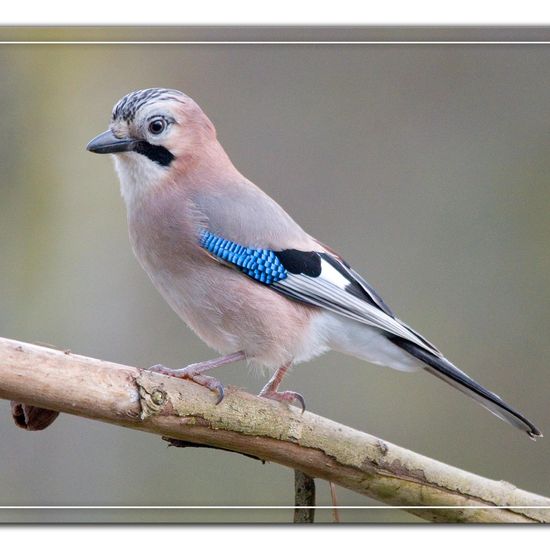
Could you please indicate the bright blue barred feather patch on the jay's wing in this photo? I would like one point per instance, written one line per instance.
(260, 264)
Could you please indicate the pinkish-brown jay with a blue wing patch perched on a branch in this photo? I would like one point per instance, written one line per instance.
(237, 268)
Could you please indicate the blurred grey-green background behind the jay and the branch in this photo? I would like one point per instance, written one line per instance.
(426, 166)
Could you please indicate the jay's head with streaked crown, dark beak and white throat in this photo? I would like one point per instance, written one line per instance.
(153, 134)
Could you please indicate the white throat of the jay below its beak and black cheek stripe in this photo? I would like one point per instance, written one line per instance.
(138, 176)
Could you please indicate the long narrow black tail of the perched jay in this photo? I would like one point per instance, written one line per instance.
(446, 371)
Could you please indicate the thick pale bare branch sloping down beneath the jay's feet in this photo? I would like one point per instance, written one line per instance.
(179, 409)
